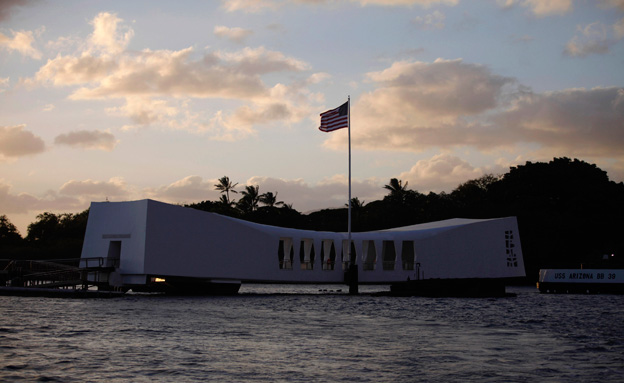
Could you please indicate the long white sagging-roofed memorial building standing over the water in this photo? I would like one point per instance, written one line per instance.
(158, 239)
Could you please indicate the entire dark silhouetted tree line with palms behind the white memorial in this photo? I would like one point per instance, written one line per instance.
(569, 213)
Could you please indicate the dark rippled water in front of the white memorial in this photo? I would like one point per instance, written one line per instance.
(303, 334)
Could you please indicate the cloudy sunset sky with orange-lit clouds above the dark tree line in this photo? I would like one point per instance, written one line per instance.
(125, 100)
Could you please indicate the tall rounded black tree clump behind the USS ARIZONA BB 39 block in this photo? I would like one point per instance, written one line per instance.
(568, 212)
